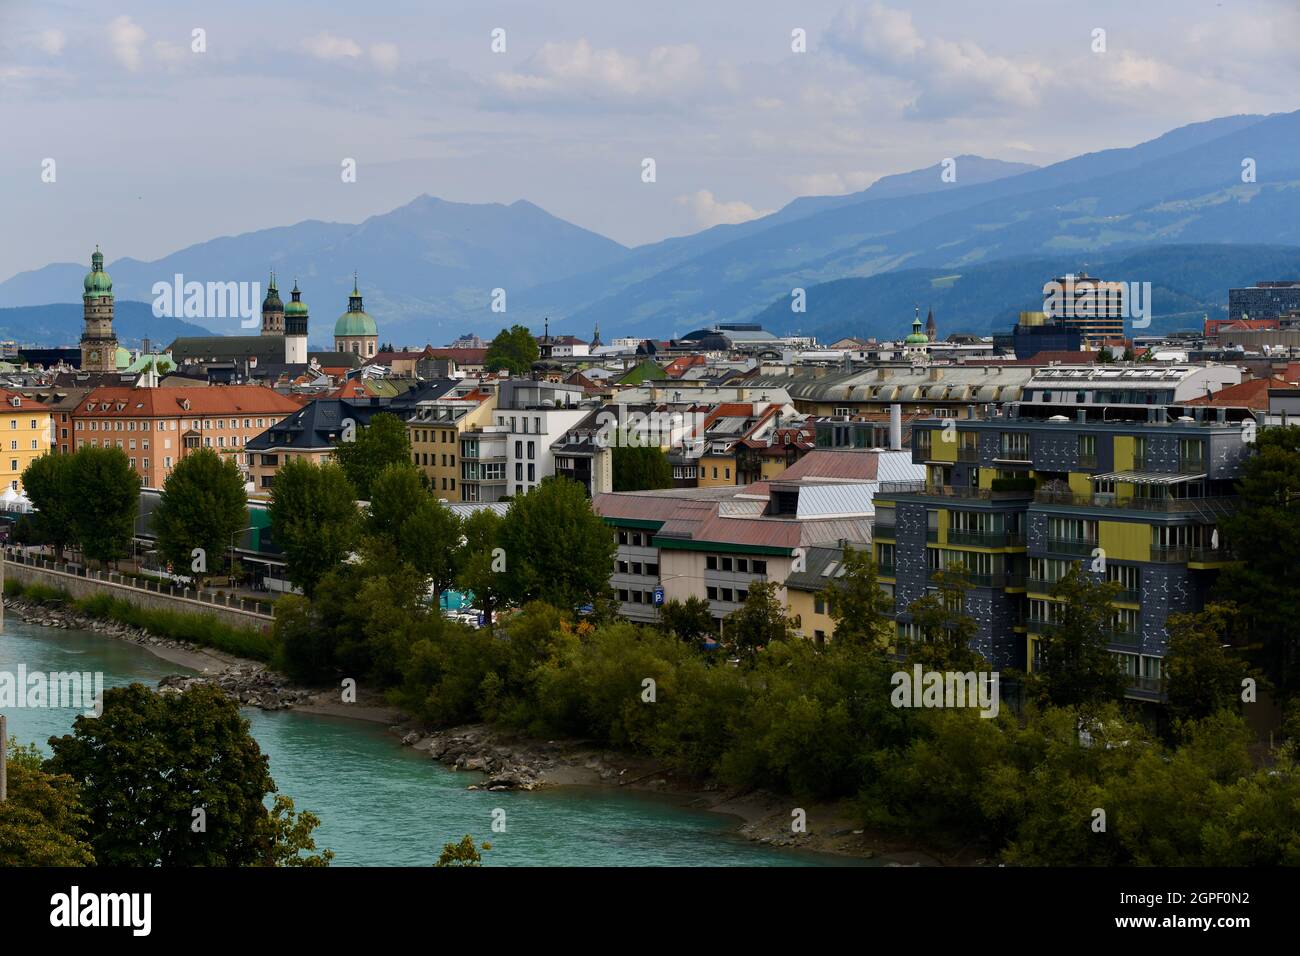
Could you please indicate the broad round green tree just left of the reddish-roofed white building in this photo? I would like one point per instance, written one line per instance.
(557, 550)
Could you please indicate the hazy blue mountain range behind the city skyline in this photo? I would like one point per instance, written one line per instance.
(1178, 211)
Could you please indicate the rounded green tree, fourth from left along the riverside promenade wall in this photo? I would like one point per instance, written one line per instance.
(314, 518)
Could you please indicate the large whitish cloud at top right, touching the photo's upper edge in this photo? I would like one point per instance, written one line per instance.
(948, 77)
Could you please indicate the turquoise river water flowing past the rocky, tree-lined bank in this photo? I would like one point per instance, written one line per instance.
(385, 804)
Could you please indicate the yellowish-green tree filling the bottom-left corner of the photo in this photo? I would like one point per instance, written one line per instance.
(44, 821)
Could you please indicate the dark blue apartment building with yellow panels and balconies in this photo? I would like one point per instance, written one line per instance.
(1017, 498)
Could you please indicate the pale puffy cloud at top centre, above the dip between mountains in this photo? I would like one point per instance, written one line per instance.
(567, 72)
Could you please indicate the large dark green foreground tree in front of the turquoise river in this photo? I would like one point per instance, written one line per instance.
(170, 780)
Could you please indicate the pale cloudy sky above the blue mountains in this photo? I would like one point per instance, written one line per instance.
(125, 128)
